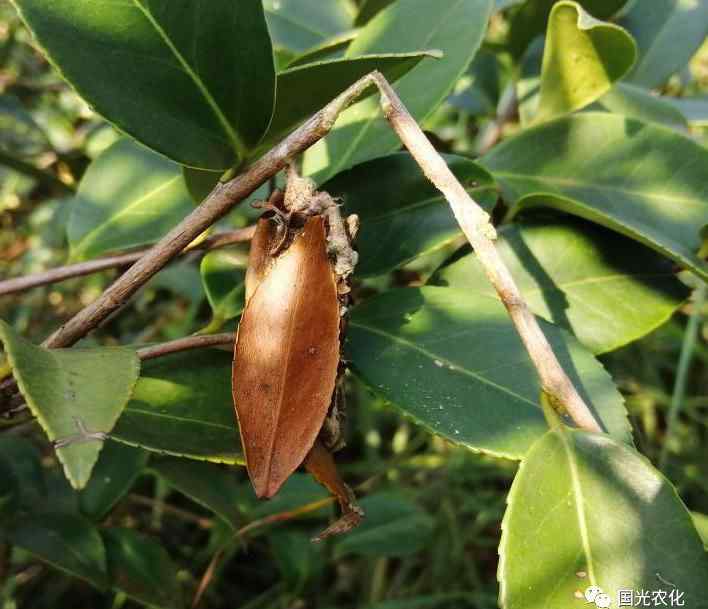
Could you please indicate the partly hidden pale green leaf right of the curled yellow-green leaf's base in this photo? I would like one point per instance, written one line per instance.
(636, 102)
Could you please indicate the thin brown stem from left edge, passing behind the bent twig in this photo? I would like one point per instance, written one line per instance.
(19, 284)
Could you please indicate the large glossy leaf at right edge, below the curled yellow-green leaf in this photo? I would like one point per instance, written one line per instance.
(642, 180)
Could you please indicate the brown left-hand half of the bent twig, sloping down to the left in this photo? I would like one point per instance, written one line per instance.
(219, 202)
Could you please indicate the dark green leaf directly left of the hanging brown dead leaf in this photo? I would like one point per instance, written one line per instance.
(182, 406)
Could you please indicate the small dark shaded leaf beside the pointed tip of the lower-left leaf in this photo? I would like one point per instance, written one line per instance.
(117, 469)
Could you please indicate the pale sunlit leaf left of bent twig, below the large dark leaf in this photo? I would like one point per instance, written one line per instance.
(128, 197)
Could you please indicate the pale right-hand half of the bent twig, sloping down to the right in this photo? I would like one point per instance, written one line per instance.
(474, 222)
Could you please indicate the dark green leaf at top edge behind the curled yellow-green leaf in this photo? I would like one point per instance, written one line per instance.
(531, 19)
